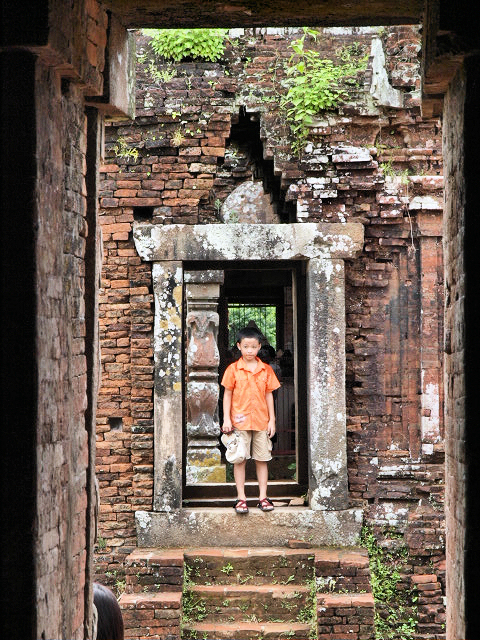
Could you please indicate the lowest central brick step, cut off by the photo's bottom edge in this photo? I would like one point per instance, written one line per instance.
(245, 631)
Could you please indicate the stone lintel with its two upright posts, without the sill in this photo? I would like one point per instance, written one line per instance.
(323, 247)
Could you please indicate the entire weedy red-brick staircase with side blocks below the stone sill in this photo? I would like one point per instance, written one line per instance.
(242, 593)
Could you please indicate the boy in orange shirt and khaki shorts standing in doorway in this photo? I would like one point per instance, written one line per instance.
(248, 407)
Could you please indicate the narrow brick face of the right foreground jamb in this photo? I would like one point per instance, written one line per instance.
(455, 352)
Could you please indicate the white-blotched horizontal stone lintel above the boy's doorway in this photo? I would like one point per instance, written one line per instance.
(298, 241)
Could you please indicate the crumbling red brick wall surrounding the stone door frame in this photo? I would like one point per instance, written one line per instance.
(370, 163)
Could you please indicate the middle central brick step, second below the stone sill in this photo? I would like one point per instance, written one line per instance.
(266, 602)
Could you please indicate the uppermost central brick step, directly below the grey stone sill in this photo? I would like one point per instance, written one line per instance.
(257, 565)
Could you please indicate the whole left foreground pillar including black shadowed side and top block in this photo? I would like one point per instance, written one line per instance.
(53, 61)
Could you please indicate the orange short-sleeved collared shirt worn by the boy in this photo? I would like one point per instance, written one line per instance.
(249, 390)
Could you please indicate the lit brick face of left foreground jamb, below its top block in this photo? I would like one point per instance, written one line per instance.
(61, 448)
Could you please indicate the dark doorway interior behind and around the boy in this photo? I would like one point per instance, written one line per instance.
(257, 286)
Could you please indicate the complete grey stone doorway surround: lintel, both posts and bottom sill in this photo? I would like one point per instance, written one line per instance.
(322, 248)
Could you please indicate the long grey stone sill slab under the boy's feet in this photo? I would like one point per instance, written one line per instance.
(223, 527)
